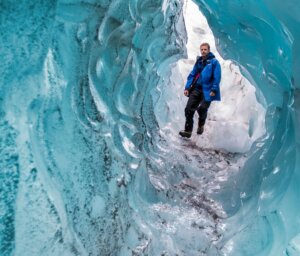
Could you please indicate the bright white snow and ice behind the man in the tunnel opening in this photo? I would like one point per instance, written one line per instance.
(234, 123)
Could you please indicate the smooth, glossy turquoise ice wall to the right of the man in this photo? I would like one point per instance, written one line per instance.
(263, 37)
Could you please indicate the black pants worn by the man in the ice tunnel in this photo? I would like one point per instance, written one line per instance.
(196, 102)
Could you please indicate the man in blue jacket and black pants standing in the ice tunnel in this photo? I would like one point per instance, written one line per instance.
(202, 87)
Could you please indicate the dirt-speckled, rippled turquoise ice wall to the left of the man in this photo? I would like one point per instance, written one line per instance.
(77, 122)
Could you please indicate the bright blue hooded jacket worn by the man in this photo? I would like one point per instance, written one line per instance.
(209, 79)
